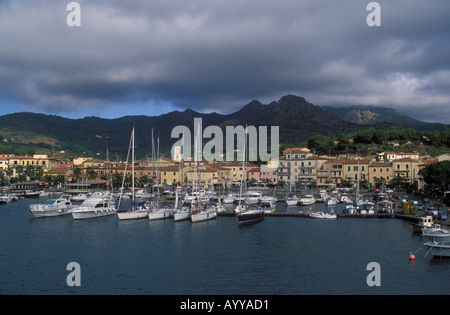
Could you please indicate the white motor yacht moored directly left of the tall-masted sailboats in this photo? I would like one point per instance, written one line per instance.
(94, 207)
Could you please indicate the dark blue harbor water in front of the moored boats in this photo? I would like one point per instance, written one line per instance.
(279, 255)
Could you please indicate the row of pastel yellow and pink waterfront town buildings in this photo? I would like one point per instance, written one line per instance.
(297, 166)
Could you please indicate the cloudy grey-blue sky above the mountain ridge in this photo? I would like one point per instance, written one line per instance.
(151, 57)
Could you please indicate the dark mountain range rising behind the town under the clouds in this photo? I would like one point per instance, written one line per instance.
(298, 121)
